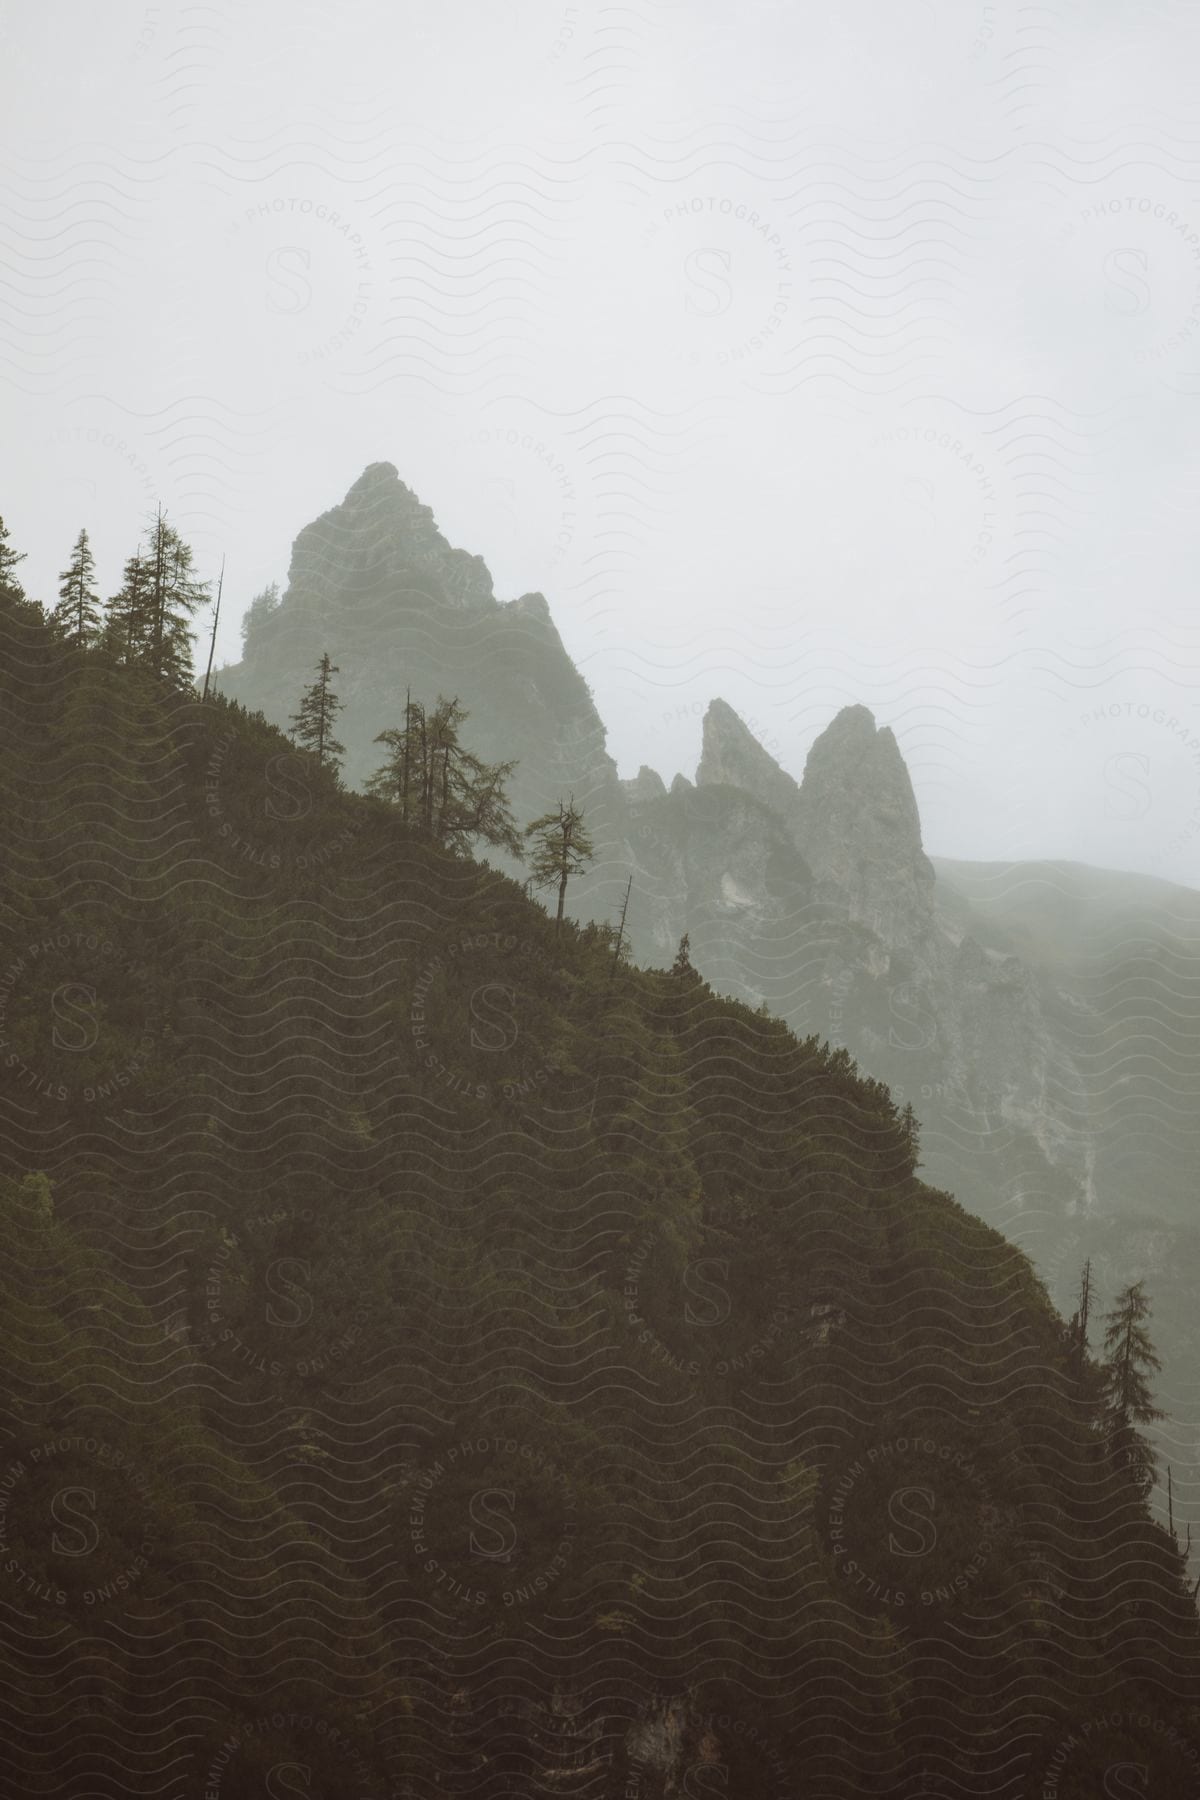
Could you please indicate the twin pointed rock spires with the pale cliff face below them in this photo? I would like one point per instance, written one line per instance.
(873, 960)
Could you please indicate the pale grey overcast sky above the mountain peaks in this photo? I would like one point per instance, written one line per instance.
(801, 354)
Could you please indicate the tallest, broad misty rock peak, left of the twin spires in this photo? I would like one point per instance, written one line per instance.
(379, 586)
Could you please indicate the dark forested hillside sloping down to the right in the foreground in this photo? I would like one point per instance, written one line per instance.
(447, 1360)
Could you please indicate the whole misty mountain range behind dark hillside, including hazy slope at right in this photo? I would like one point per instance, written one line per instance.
(1039, 1018)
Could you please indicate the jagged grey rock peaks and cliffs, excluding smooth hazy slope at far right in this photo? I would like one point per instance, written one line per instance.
(812, 895)
